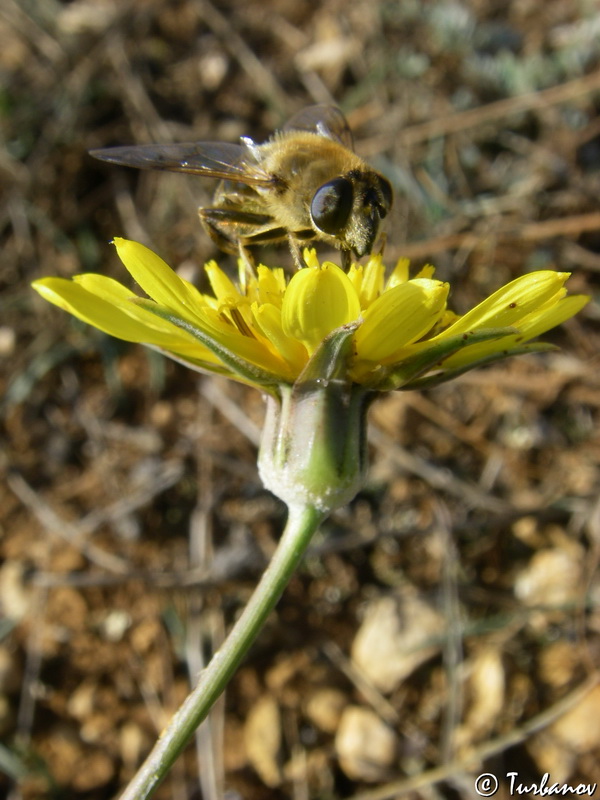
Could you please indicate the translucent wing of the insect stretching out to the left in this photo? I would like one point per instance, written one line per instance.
(210, 159)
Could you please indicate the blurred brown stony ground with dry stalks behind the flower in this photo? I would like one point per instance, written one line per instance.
(447, 623)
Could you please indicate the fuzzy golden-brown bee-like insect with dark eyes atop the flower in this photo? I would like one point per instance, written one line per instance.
(305, 183)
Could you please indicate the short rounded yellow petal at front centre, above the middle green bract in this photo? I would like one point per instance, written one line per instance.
(318, 300)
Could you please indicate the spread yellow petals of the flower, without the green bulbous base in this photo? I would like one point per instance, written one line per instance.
(266, 331)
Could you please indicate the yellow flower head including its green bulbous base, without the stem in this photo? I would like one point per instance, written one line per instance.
(321, 344)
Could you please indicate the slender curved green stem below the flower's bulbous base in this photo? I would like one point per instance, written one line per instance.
(302, 523)
